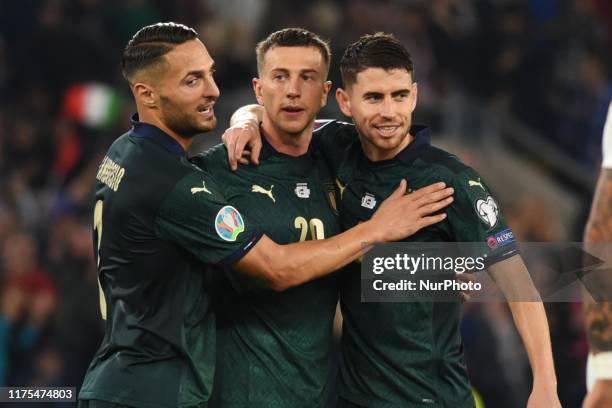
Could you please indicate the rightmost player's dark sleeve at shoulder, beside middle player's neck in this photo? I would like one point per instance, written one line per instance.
(333, 139)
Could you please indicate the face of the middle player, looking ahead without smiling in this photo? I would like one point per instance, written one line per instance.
(292, 88)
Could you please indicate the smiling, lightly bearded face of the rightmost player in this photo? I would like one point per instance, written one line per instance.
(381, 103)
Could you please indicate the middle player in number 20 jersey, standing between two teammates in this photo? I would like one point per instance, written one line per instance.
(273, 348)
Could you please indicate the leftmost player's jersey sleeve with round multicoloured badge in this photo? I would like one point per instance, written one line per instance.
(196, 217)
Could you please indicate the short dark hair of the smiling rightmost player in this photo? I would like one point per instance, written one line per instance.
(378, 50)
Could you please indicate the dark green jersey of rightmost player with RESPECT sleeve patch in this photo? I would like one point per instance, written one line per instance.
(408, 354)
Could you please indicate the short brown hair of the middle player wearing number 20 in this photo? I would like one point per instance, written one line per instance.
(292, 37)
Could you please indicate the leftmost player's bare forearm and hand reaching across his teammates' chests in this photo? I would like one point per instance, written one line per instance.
(285, 266)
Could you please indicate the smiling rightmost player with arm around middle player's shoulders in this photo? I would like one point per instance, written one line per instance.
(411, 354)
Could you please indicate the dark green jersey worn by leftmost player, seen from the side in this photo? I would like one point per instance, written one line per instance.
(158, 219)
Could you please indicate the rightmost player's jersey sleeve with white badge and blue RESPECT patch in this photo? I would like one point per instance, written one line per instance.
(475, 217)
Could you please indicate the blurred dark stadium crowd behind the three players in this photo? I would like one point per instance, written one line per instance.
(518, 88)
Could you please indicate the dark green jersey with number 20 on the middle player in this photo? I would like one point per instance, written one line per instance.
(273, 348)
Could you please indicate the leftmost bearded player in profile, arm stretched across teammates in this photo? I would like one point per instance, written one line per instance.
(158, 220)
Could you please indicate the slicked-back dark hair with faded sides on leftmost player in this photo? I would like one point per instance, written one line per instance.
(148, 46)
